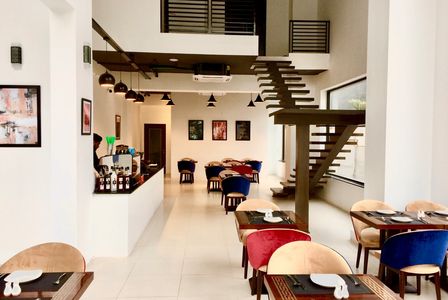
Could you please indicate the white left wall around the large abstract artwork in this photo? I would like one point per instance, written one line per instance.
(46, 190)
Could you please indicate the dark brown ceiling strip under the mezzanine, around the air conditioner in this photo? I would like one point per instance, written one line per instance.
(160, 62)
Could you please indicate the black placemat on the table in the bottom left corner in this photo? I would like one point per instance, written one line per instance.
(44, 283)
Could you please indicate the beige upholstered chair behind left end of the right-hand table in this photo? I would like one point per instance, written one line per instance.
(367, 237)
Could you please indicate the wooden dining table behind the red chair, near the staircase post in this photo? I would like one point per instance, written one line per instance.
(255, 220)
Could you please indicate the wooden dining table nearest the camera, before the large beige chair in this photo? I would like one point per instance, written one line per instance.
(281, 287)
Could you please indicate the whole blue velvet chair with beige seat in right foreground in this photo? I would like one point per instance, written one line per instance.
(420, 252)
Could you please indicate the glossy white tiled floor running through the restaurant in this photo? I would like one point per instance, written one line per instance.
(190, 251)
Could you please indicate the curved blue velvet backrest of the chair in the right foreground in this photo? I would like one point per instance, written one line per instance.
(418, 247)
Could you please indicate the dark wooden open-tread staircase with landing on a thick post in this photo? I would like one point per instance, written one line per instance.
(282, 84)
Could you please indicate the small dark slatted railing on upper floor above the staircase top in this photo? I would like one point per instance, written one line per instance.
(309, 36)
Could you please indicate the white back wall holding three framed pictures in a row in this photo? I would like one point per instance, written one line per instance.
(230, 107)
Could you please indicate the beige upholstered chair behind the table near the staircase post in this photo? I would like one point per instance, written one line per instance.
(248, 205)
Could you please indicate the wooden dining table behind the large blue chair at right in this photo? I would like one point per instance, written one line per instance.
(389, 227)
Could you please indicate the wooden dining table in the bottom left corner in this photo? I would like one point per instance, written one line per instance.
(71, 287)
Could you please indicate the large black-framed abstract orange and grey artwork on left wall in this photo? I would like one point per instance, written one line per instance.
(20, 116)
